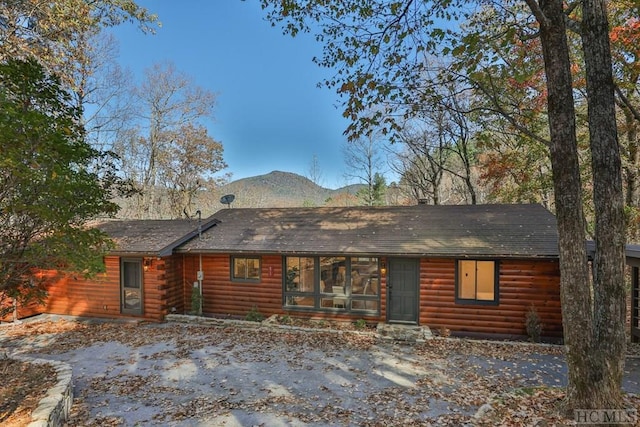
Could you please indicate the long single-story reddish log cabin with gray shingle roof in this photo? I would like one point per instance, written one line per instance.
(471, 270)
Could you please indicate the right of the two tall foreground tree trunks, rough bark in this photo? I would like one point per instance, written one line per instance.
(607, 356)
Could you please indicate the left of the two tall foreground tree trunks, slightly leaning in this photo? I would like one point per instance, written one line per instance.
(574, 275)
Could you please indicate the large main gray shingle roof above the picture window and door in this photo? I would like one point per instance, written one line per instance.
(423, 230)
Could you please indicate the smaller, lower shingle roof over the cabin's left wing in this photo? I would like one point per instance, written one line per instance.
(153, 237)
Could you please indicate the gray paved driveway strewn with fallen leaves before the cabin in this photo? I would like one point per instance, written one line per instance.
(179, 374)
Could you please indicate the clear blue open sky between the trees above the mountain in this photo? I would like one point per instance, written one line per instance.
(270, 113)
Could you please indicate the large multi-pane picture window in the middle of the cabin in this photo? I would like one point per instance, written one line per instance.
(332, 283)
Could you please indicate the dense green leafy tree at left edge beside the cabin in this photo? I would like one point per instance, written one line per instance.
(47, 189)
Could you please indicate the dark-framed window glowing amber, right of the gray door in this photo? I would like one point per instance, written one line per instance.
(476, 282)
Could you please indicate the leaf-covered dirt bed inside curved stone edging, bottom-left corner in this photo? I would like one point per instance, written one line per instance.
(22, 387)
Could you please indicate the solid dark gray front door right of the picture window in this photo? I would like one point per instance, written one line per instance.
(402, 286)
